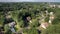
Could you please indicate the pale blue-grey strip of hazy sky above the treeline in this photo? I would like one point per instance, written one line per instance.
(29, 0)
